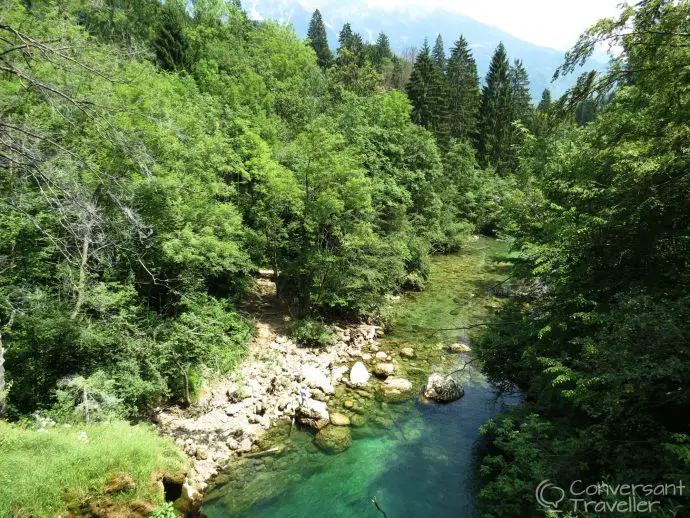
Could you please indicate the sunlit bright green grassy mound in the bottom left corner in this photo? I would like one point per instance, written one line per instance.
(48, 473)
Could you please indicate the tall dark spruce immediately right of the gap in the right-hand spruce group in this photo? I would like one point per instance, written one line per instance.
(495, 115)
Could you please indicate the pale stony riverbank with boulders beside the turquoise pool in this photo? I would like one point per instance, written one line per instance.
(281, 382)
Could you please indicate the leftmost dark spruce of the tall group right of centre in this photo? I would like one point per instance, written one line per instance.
(428, 91)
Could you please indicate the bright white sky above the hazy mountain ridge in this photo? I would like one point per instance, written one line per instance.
(549, 23)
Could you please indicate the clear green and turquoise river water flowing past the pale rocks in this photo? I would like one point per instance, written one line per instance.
(417, 459)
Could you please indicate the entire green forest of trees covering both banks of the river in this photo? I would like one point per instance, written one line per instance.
(154, 156)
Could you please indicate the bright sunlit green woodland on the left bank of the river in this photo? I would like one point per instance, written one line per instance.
(155, 155)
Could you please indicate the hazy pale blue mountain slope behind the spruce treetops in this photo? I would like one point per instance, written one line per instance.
(407, 27)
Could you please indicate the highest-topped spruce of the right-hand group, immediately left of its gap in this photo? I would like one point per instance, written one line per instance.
(464, 94)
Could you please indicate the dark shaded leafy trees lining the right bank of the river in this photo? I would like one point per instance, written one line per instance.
(596, 334)
